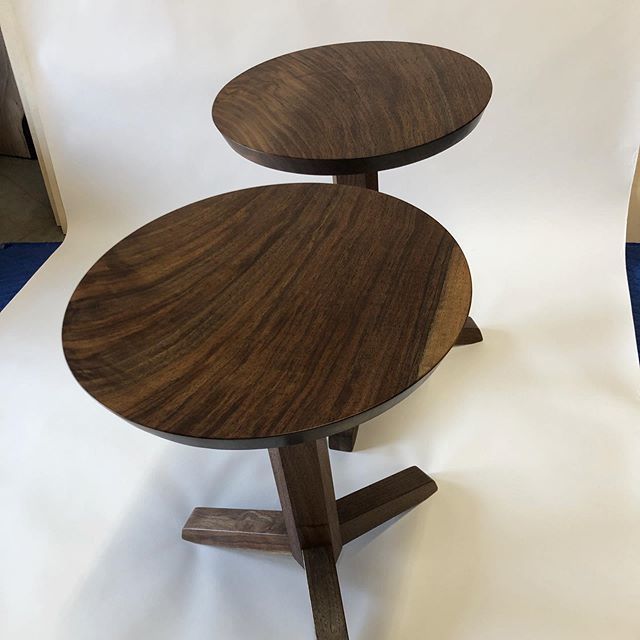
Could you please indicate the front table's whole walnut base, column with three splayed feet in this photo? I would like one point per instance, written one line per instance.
(312, 526)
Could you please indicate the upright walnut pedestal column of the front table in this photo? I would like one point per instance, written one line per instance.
(305, 486)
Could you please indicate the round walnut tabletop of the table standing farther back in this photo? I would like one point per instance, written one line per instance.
(352, 108)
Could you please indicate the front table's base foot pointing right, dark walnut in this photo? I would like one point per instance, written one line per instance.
(373, 505)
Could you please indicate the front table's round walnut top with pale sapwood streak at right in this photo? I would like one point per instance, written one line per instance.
(268, 316)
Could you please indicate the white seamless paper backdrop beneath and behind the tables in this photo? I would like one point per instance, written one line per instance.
(533, 435)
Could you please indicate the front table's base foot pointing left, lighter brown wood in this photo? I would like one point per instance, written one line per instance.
(237, 528)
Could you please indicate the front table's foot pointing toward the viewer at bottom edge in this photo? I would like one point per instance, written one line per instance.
(324, 592)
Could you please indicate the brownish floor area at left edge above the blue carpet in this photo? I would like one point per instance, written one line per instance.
(25, 212)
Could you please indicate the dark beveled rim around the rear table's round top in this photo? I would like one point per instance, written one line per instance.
(365, 164)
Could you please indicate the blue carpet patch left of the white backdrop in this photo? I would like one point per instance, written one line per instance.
(18, 262)
